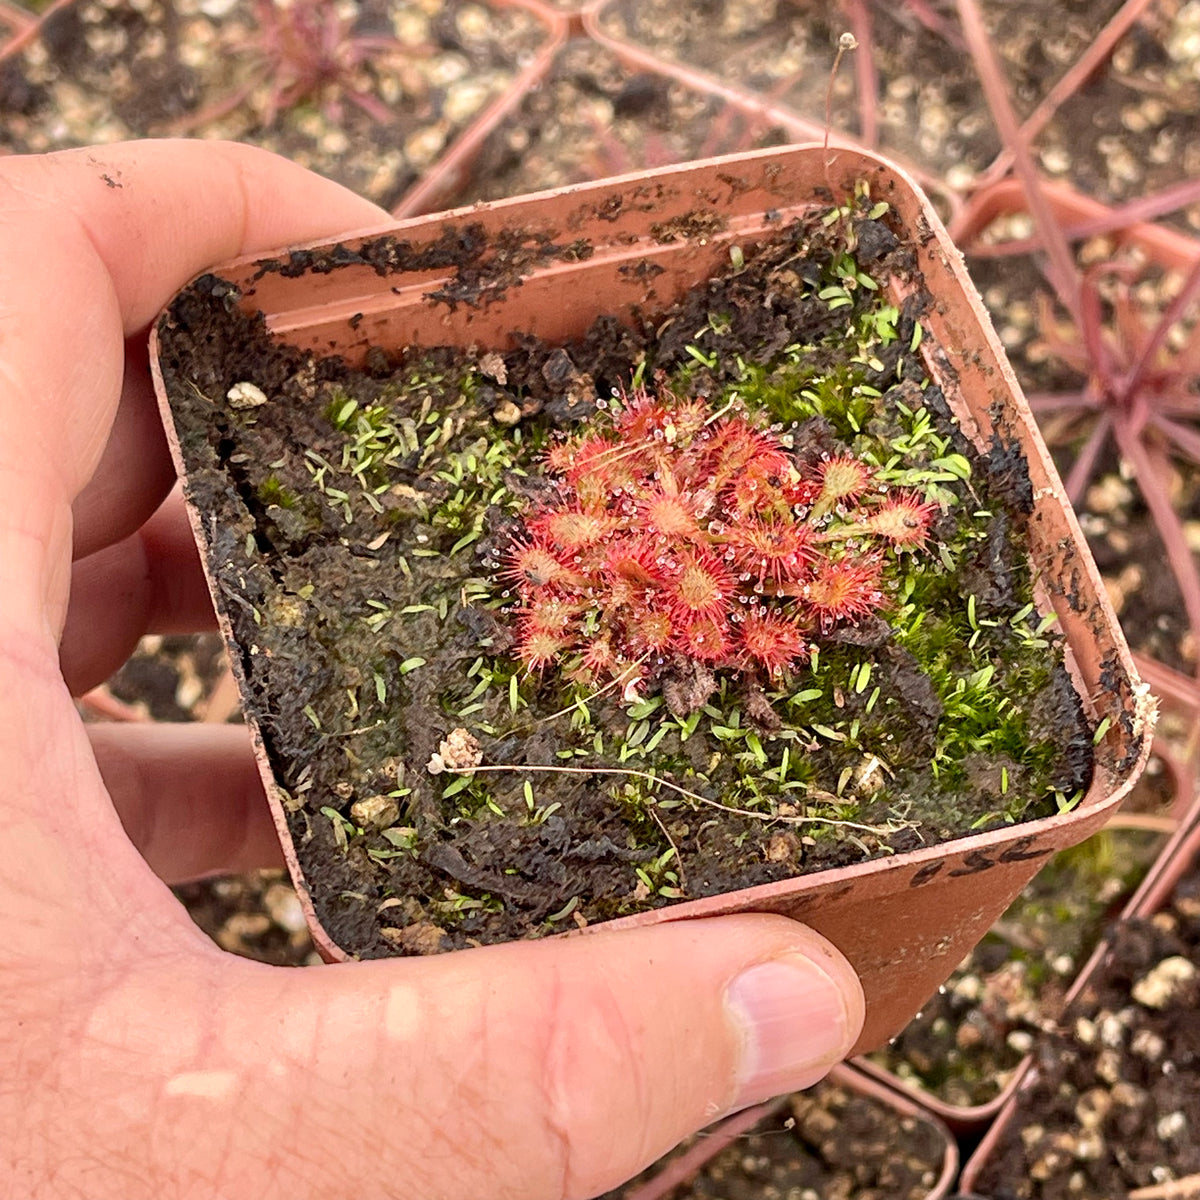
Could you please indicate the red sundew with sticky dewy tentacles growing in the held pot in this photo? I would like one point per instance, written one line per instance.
(677, 533)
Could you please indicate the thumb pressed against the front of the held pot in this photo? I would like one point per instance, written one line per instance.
(559, 1070)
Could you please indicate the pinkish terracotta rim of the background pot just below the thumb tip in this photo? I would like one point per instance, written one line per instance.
(680, 1169)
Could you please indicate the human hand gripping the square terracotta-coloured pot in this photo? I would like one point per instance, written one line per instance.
(136, 1059)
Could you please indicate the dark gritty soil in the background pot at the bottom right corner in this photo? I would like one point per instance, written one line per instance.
(1115, 1103)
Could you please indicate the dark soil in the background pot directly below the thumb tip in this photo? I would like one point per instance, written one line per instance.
(830, 1142)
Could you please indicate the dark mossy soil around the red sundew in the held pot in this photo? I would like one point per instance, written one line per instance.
(358, 524)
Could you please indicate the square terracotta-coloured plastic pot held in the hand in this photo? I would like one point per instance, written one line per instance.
(907, 921)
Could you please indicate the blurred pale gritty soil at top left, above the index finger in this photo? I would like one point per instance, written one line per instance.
(405, 81)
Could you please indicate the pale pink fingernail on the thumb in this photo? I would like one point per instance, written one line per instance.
(795, 1025)
